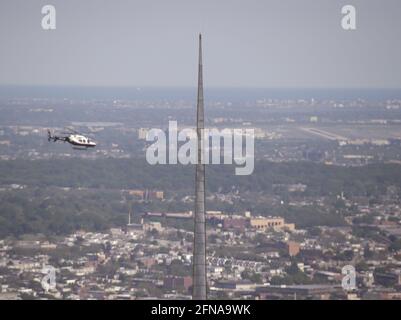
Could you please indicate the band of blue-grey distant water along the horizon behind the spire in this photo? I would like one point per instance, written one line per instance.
(212, 94)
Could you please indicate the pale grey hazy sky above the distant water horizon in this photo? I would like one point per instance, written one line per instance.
(262, 43)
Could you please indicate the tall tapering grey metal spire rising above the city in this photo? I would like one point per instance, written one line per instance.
(199, 255)
